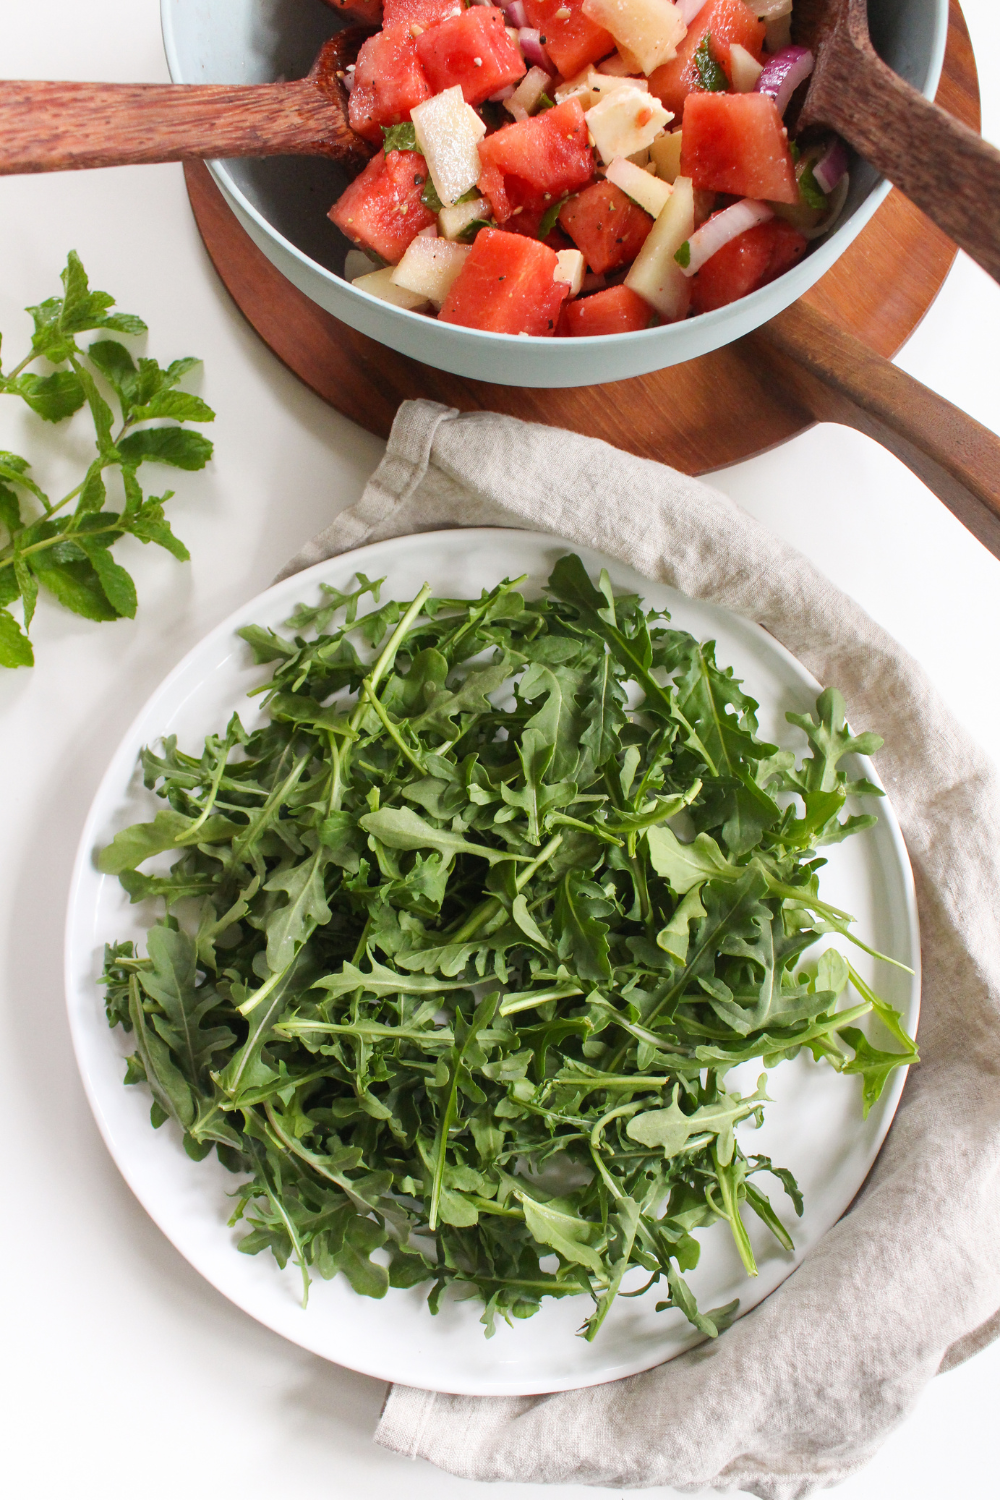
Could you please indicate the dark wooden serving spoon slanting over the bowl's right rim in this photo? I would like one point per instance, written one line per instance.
(944, 167)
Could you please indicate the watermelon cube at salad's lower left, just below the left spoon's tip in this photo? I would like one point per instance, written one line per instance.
(382, 209)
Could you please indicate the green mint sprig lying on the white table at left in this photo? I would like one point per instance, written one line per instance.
(65, 545)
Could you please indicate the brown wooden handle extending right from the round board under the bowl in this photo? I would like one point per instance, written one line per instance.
(840, 380)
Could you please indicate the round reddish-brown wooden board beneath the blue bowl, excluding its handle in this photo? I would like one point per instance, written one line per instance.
(699, 416)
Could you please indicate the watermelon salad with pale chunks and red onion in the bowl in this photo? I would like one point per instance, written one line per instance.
(581, 167)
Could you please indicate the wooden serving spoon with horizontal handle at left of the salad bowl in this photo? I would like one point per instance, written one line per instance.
(59, 127)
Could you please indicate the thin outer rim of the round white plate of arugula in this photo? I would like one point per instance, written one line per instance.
(113, 779)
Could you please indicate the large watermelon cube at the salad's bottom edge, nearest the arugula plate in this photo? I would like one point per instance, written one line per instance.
(507, 286)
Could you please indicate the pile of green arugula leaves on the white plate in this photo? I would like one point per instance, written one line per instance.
(473, 937)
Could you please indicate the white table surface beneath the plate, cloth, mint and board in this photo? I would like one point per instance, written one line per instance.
(125, 1373)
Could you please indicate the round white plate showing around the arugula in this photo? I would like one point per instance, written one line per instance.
(813, 1127)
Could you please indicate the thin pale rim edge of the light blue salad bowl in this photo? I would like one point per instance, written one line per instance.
(839, 241)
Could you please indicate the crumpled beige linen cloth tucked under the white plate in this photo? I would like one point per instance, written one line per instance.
(801, 1393)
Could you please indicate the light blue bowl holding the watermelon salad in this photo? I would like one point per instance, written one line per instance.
(283, 203)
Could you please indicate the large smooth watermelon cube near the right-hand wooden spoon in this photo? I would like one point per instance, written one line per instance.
(738, 145)
